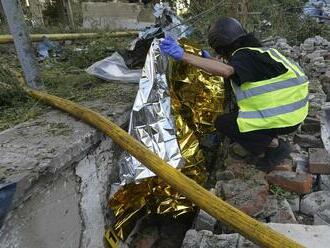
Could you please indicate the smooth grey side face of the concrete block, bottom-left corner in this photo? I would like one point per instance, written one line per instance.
(50, 218)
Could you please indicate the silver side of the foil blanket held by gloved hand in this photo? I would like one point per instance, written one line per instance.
(151, 120)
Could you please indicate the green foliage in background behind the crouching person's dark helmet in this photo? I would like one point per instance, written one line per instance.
(285, 17)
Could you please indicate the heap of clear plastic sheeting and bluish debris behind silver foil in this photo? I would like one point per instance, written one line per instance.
(126, 64)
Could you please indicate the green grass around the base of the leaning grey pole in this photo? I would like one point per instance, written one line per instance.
(63, 76)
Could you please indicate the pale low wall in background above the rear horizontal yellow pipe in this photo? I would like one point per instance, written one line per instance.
(116, 15)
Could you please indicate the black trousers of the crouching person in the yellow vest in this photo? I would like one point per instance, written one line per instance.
(255, 142)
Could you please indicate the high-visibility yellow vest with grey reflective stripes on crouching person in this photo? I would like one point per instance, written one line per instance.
(278, 102)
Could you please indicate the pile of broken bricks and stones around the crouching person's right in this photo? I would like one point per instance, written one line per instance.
(295, 192)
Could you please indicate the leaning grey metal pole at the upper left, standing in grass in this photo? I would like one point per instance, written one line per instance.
(18, 28)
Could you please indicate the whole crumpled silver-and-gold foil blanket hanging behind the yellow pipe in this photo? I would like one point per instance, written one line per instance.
(178, 113)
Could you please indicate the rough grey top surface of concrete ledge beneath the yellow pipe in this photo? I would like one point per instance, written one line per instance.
(50, 144)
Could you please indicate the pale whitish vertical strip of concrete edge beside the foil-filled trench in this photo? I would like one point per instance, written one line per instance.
(96, 172)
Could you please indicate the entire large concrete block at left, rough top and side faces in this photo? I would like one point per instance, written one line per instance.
(63, 169)
